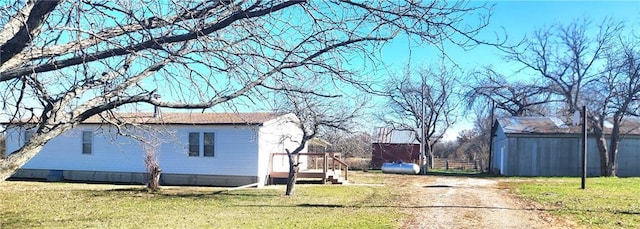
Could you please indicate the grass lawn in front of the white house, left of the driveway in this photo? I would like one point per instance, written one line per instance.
(41, 204)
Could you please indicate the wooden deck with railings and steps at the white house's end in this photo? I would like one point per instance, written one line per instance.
(330, 170)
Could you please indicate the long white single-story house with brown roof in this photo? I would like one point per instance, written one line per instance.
(221, 149)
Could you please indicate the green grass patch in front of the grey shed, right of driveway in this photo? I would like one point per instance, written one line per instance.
(605, 203)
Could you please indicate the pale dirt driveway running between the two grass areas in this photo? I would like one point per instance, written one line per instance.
(462, 202)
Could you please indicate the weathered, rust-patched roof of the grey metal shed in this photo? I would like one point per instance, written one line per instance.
(554, 125)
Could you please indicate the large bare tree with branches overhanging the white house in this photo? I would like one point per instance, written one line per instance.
(65, 61)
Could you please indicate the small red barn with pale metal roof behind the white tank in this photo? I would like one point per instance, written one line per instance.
(394, 145)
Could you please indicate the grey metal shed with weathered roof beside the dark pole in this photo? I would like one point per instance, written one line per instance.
(547, 146)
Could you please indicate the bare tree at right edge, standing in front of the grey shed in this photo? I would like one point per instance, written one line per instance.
(613, 98)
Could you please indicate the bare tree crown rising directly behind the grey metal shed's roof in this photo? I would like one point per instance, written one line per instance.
(567, 56)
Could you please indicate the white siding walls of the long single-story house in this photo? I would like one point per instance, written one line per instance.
(235, 149)
